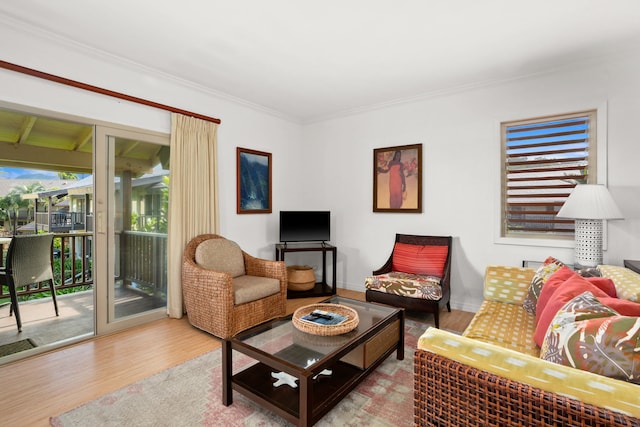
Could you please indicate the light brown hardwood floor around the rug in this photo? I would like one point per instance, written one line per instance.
(49, 384)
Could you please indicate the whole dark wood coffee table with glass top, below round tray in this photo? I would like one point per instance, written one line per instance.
(301, 376)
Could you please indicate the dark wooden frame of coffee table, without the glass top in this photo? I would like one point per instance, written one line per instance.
(312, 399)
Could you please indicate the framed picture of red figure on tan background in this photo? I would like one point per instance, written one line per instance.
(397, 179)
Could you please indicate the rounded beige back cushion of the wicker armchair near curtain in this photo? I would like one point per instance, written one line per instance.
(221, 255)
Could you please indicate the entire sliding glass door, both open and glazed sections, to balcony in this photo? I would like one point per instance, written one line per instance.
(104, 194)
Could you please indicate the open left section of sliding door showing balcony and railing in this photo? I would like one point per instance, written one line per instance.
(46, 186)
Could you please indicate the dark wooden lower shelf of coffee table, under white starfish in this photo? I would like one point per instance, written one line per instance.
(257, 384)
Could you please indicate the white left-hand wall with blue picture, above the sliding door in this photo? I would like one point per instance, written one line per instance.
(243, 125)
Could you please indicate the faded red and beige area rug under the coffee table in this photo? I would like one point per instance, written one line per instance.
(190, 394)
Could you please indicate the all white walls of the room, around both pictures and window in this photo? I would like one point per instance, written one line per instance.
(328, 165)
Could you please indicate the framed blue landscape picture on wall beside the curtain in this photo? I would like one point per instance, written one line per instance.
(253, 181)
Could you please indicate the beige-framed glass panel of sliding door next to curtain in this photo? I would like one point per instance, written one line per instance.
(132, 203)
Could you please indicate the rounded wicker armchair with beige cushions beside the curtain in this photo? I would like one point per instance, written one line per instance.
(215, 305)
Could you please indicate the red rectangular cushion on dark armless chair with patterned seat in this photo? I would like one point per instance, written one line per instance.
(417, 259)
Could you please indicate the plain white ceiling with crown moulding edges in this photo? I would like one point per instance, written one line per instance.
(310, 60)
